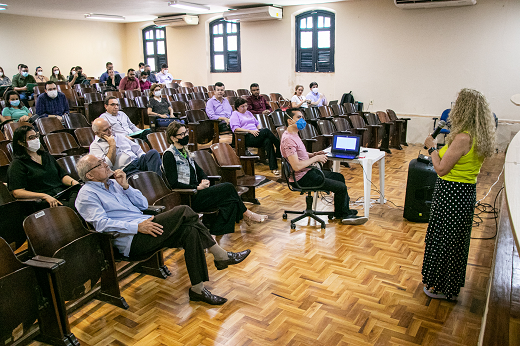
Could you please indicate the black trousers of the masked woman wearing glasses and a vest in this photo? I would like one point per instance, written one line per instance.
(230, 206)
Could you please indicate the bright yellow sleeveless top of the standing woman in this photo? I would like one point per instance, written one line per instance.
(466, 169)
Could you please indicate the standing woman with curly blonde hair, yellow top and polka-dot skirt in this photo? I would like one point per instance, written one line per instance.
(458, 163)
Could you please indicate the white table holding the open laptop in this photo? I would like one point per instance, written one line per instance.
(366, 159)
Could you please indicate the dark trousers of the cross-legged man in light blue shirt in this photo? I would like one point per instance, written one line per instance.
(181, 229)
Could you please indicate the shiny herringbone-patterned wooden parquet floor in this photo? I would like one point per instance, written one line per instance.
(347, 285)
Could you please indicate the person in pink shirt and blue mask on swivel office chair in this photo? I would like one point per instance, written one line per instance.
(293, 150)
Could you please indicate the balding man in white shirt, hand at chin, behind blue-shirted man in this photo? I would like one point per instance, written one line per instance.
(121, 152)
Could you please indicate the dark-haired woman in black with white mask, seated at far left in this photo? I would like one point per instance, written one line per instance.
(34, 173)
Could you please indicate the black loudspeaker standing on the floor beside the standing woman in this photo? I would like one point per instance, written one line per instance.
(419, 189)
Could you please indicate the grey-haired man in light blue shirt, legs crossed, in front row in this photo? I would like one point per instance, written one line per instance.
(112, 205)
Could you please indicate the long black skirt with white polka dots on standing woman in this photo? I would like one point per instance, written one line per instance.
(448, 236)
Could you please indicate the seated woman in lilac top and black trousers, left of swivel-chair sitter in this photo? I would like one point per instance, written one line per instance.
(244, 120)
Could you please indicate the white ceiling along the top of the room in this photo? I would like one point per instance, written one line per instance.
(132, 10)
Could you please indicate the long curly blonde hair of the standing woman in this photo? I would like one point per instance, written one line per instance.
(471, 113)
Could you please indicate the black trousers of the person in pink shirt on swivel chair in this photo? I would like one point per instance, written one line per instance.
(334, 182)
